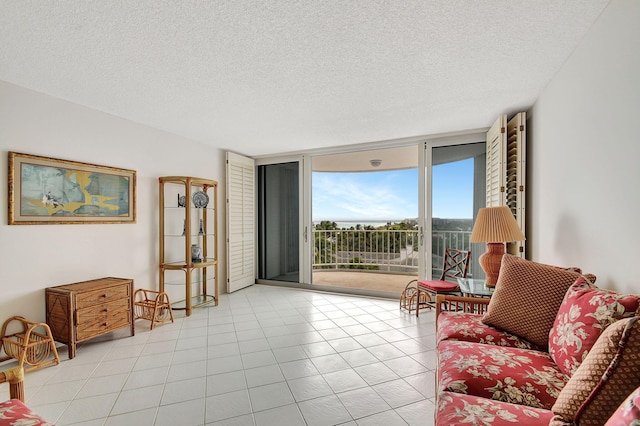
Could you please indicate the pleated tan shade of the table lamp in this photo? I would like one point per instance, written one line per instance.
(496, 225)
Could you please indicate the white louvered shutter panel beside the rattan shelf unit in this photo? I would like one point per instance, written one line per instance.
(240, 222)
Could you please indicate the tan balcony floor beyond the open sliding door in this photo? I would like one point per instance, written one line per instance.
(362, 280)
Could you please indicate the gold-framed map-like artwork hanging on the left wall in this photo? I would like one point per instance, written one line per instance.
(46, 190)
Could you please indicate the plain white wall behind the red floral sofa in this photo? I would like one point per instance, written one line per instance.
(584, 155)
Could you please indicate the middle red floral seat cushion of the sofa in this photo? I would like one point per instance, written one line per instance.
(520, 376)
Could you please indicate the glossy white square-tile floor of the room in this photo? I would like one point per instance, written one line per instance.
(264, 356)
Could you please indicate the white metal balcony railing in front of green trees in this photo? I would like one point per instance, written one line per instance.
(379, 250)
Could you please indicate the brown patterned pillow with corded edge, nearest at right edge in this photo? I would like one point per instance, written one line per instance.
(608, 374)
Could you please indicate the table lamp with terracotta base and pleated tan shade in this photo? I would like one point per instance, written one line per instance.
(494, 226)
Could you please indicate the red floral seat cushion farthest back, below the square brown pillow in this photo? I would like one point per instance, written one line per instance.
(469, 327)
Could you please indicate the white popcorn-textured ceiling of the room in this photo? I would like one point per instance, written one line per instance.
(260, 77)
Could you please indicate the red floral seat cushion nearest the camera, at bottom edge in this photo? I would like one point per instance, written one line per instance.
(454, 408)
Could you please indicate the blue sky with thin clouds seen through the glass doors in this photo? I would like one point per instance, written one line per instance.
(391, 195)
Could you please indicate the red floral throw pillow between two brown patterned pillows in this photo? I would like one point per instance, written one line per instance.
(584, 313)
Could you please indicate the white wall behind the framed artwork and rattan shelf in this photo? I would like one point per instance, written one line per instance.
(33, 257)
